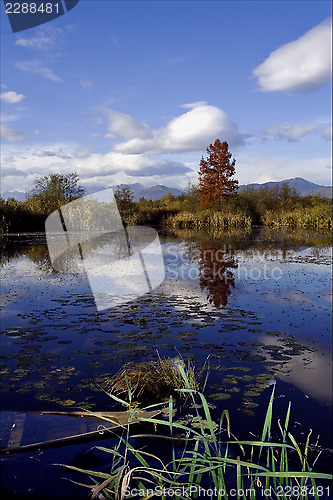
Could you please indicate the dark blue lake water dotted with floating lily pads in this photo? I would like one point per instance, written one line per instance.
(255, 308)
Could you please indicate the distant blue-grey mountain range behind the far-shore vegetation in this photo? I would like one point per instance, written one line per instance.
(302, 187)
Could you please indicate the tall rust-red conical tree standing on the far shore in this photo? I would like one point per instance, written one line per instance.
(215, 175)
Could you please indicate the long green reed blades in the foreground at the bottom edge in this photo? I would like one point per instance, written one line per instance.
(207, 461)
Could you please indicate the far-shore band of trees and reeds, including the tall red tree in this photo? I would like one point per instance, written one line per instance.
(214, 202)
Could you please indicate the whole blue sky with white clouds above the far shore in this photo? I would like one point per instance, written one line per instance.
(135, 91)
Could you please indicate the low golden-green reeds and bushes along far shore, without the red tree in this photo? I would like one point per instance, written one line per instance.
(278, 208)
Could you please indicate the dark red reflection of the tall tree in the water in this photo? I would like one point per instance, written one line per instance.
(216, 275)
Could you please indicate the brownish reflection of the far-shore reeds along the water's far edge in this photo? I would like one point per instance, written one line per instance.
(262, 242)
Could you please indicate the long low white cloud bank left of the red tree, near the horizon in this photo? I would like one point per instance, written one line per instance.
(91, 168)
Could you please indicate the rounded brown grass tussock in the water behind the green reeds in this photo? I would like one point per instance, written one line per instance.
(152, 381)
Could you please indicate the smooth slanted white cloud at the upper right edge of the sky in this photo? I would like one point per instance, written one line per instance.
(298, 66)
